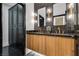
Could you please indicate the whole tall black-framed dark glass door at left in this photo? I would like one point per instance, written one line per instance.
(17, 27)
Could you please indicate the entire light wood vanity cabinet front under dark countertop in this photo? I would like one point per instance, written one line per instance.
(52, 45)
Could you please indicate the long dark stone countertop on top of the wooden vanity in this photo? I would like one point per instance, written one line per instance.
(52, 34)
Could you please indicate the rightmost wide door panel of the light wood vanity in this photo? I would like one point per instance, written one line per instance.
(66, 46)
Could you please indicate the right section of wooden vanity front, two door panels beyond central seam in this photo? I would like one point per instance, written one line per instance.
(60, 46)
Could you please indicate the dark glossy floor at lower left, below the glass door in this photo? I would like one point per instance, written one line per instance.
(11, 51)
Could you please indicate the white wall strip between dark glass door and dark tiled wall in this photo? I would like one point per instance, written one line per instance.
(29, 11)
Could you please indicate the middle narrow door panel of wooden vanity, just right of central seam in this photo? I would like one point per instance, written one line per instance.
(50, 46)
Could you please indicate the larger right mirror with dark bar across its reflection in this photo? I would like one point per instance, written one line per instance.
(59, 14)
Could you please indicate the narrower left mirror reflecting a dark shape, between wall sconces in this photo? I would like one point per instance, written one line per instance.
(42, 17)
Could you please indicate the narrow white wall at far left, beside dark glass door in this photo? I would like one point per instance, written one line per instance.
(5, 18)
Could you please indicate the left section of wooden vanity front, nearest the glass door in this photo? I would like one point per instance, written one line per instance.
(36, 43)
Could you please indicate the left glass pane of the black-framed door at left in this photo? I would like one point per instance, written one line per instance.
(12, 25)
